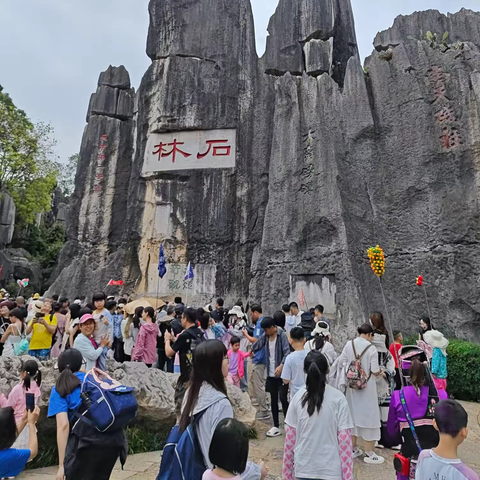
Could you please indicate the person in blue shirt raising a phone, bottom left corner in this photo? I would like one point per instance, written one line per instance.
(12, 460)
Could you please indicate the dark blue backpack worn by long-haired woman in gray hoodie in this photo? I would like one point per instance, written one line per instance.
(182, 457)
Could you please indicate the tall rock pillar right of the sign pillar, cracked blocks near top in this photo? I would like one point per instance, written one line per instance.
(313, 57)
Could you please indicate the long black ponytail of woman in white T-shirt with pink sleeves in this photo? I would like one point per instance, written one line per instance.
(316, 368)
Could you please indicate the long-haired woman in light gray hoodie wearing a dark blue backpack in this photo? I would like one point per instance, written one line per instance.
(206, 399)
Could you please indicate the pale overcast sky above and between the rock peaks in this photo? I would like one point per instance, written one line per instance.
(52, 51)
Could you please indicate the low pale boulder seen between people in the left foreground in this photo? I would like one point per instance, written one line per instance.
(154, 389)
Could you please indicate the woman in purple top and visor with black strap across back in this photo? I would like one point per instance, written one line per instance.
(421, 396)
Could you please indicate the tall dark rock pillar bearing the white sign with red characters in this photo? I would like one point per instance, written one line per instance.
(203, 80)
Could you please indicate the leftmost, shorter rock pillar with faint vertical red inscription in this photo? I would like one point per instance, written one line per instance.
(97, 217)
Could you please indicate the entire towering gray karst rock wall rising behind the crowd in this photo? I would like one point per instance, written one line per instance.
(330, 160)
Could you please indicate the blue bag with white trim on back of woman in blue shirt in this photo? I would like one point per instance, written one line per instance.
(108, 405)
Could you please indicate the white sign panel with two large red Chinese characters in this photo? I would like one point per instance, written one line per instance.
(189, 150)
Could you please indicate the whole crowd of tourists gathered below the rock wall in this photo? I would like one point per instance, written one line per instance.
(374, 389)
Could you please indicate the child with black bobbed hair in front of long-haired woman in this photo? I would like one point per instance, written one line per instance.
(229, 451)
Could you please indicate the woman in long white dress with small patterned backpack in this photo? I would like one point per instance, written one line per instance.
(361, 361)
